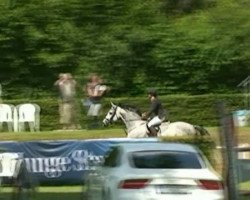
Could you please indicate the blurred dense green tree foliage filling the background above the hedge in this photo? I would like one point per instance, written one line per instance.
(183, 46)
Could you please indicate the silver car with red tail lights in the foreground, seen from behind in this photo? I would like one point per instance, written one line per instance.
(154, 171)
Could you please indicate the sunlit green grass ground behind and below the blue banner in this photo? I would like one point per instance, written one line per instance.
(74, 192)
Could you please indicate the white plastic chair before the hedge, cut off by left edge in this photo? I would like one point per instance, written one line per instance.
(7, 116)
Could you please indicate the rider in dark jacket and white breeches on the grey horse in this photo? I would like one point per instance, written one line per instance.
(156, 113)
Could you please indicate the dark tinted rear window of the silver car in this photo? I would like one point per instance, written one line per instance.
(165, 160)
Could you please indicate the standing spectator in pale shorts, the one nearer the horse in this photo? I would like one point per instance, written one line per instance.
(95, 91)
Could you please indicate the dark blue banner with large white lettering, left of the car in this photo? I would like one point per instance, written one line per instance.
(63, 162)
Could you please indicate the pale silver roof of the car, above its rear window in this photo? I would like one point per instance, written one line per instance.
(147, 146)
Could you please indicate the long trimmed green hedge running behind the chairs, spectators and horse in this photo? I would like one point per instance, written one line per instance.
(193, 109)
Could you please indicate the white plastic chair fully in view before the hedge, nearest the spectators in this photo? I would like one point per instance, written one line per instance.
(28, 113)
